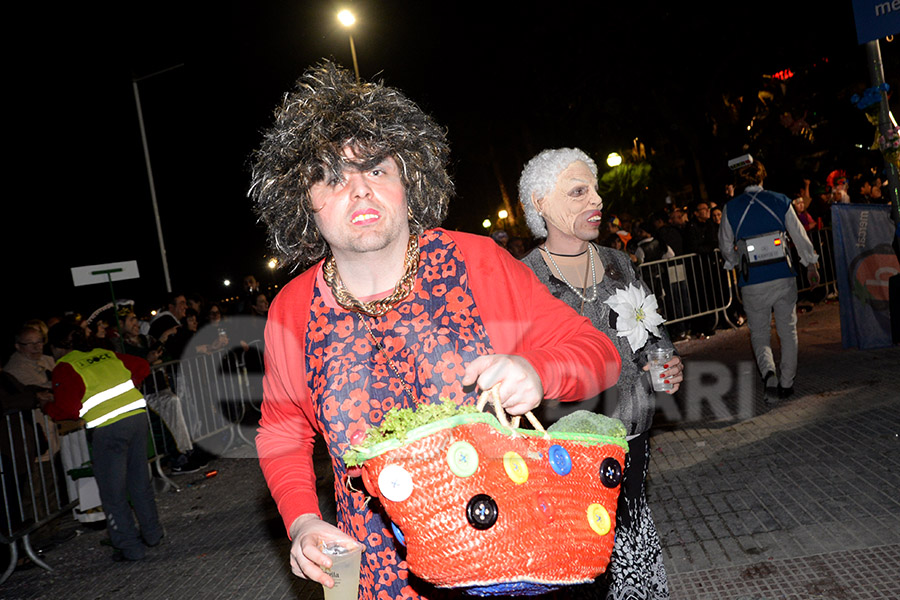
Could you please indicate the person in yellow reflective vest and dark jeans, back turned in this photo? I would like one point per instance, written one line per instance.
(101, 387)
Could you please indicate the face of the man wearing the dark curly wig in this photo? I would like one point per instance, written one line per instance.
(363, 211)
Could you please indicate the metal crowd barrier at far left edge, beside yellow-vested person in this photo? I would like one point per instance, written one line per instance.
(32, 483)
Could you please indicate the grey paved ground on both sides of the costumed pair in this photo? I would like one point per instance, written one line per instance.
(797, 501)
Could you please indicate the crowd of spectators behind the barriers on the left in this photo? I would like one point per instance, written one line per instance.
(182, 326)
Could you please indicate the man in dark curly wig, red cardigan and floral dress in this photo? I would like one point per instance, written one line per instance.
(394, 313)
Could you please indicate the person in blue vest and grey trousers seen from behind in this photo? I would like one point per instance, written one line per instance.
(755, 234)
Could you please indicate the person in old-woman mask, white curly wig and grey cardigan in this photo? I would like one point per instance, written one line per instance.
(558, 192)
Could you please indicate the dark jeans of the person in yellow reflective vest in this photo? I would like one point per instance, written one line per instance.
(120, 467)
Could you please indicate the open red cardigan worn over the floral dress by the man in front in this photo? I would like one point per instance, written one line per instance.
(573, 359)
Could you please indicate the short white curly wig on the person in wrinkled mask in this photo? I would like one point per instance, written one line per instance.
(539, 178)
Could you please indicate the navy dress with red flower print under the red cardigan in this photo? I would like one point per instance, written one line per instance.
(356, 376)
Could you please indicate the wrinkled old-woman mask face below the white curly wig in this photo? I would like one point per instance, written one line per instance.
(573, 207)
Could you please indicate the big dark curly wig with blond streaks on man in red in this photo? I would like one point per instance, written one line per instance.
(325, 112)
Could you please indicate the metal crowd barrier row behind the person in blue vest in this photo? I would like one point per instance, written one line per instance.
(694, 285)
